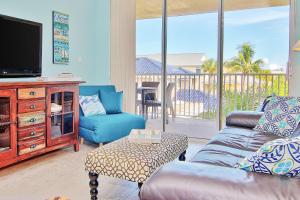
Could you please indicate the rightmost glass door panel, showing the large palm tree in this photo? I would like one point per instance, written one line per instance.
(256, 53)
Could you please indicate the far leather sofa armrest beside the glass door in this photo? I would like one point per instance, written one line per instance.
(246, 119)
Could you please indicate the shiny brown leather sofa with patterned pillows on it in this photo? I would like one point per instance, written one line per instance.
(211, 175)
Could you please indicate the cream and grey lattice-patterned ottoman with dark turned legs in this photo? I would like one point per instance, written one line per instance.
(133, 161)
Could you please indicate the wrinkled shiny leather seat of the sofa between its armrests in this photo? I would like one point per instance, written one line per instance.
(231, 145)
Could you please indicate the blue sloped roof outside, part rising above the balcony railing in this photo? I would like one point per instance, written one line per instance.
(149, 66)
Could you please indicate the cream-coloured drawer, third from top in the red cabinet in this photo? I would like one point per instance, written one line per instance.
(30, 119)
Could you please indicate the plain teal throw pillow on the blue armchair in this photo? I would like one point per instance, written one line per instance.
(112, 101)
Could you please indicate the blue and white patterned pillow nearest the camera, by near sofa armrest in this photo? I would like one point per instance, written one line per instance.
(280, 157)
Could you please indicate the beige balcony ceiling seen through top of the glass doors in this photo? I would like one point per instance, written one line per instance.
(146, 9)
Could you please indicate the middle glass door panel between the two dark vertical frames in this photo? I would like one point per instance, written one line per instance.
(191, 89)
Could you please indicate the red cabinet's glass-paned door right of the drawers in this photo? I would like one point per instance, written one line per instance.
(62, 115)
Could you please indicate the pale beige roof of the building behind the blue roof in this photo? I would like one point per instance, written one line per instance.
(181, 59)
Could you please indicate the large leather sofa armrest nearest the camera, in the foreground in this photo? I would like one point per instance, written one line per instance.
(193, 181)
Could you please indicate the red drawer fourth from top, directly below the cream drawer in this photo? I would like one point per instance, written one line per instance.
(29, 133)
